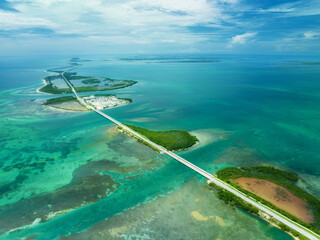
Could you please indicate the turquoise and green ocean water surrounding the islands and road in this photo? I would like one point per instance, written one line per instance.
(247, 110)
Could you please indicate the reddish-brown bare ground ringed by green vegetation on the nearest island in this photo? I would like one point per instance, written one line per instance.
(277, 195)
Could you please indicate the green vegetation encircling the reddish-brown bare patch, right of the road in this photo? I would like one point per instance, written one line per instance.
(283, 178)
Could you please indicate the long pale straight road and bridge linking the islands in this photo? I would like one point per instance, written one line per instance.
(304, 231)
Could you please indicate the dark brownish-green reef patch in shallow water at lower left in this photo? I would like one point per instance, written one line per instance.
(87, 186)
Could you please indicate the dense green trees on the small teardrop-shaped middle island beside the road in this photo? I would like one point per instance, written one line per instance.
(171, 140)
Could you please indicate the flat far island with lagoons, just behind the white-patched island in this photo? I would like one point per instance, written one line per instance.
(55, 84)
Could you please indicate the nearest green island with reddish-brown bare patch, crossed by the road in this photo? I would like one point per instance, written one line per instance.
(276, 189)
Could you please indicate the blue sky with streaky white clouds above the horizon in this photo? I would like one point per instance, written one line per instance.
(159, 26)
